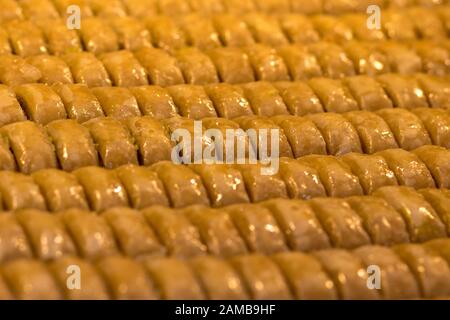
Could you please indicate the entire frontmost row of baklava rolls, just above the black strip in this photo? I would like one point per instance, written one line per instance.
(407, 271)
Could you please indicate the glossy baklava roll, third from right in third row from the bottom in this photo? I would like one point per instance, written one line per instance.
(372, 171)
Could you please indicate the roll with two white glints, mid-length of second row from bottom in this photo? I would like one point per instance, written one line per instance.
(258, 228)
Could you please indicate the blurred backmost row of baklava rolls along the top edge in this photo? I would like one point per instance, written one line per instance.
(44, 9)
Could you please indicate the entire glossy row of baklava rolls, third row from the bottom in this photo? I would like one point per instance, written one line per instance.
(218, 185)
